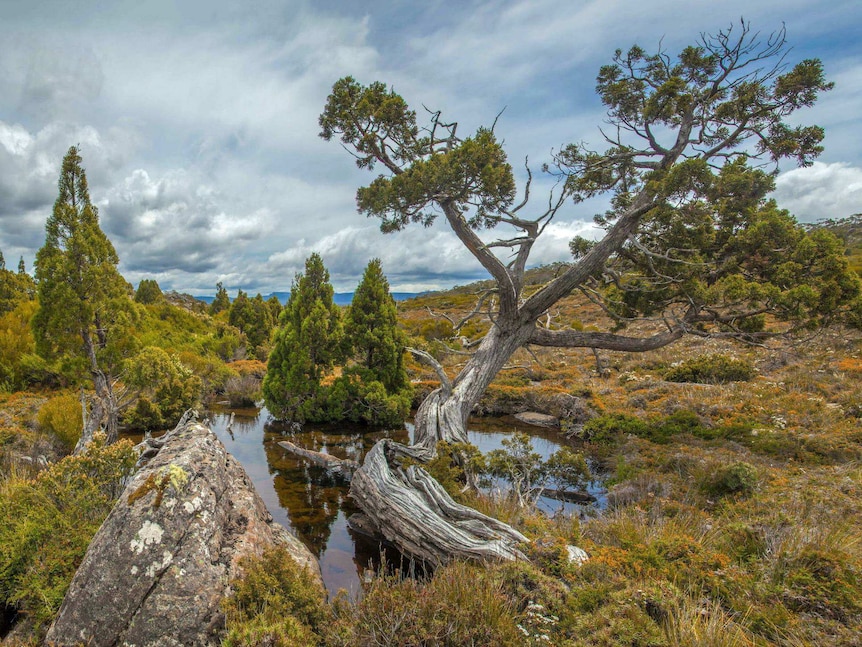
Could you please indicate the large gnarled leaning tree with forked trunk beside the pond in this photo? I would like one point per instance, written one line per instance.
(690, 240)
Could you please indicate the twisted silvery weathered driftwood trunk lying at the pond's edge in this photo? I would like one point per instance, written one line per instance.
(413, 512)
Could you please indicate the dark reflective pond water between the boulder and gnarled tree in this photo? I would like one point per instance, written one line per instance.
(306, 499)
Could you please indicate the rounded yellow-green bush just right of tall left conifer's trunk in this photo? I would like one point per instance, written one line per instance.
(166, 388)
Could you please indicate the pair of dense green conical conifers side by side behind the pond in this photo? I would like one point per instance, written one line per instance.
(327, 368)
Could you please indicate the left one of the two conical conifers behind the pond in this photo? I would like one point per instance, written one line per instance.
(306, 346)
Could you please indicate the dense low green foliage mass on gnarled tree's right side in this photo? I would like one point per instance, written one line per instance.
(743, 258)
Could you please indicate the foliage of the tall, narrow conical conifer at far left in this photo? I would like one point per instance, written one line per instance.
(82, 297)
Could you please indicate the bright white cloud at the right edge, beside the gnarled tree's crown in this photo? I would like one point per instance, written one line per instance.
(821, 191)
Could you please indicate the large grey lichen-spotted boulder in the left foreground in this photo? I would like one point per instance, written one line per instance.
(159, 567)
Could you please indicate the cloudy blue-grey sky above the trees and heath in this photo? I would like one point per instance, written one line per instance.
(197, 119)
